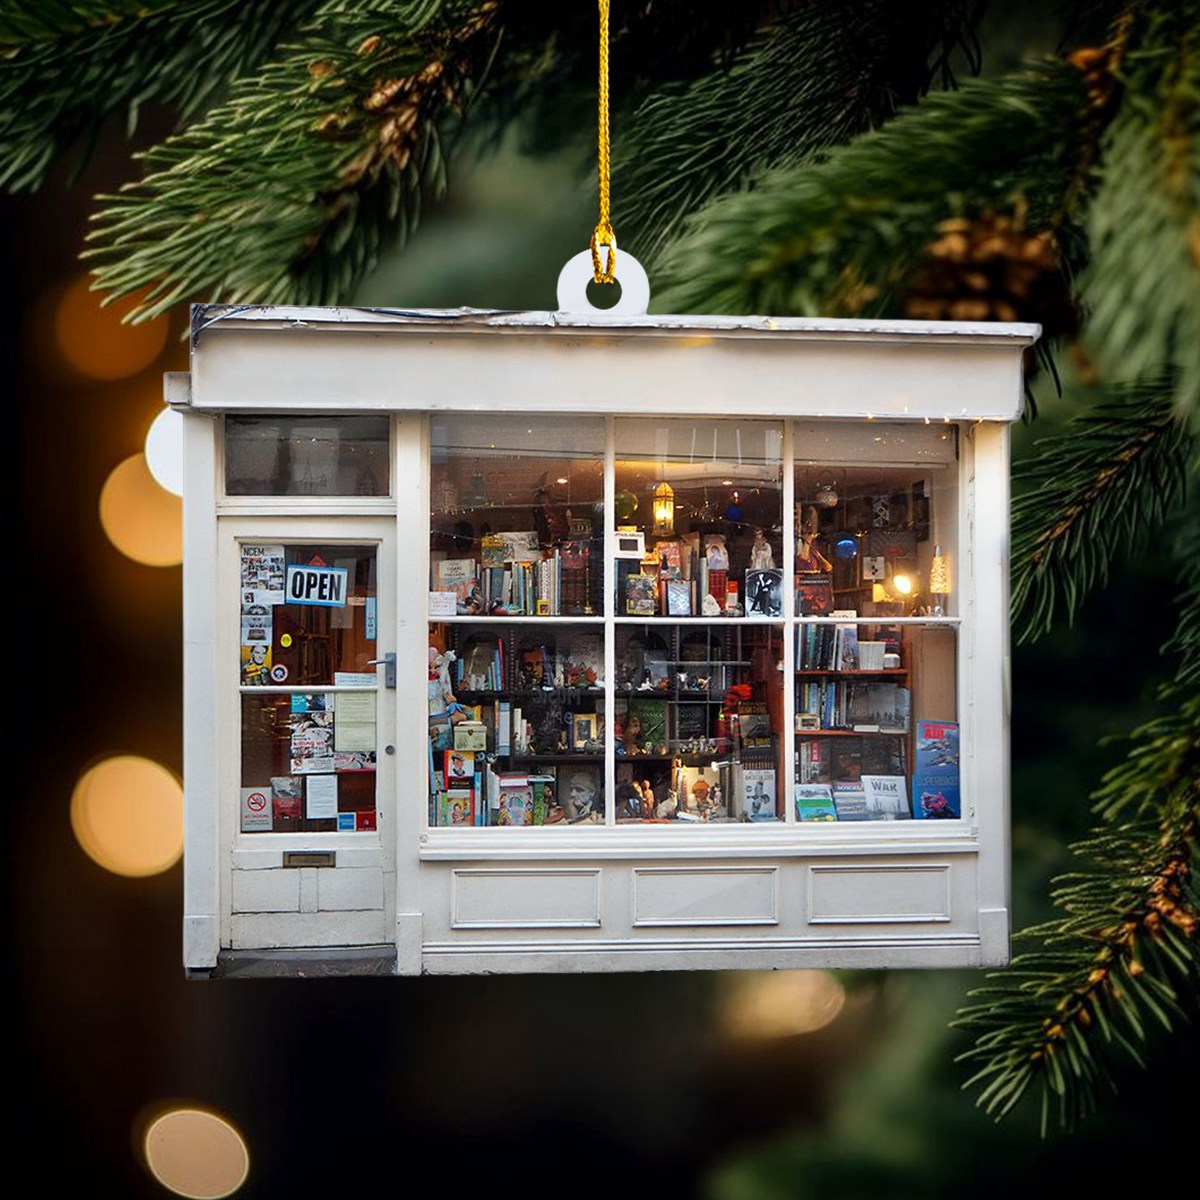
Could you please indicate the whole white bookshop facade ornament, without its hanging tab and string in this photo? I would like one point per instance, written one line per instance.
(541, 643)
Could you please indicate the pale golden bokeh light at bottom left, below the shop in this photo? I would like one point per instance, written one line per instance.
(196, 1154)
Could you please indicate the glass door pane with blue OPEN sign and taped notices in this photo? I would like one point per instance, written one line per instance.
(308, 688)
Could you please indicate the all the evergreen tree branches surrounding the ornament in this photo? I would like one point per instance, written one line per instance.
(836, 159)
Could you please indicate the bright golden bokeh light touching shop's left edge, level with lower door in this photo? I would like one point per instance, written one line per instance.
(128, 815)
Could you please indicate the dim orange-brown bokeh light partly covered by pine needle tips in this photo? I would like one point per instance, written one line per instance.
(95, 343)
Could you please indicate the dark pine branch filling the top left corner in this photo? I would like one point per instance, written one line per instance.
(57, 93)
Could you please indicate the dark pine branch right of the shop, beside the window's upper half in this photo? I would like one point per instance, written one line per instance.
(1088, 495)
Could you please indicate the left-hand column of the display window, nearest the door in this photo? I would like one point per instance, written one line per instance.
(518, 723)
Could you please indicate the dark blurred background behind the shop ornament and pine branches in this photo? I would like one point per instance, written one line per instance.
(731, 1085)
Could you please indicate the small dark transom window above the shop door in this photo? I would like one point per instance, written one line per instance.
(307, 455)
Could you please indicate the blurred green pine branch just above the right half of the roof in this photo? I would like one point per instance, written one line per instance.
(845, 236)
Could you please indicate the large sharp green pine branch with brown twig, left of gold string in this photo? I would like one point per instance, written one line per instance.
(287, 193)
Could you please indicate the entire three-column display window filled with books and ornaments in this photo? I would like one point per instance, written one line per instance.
(622, 662)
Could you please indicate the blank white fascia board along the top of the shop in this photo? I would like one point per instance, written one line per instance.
(278, 359)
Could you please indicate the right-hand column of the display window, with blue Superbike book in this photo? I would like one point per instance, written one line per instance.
(875, 697)
